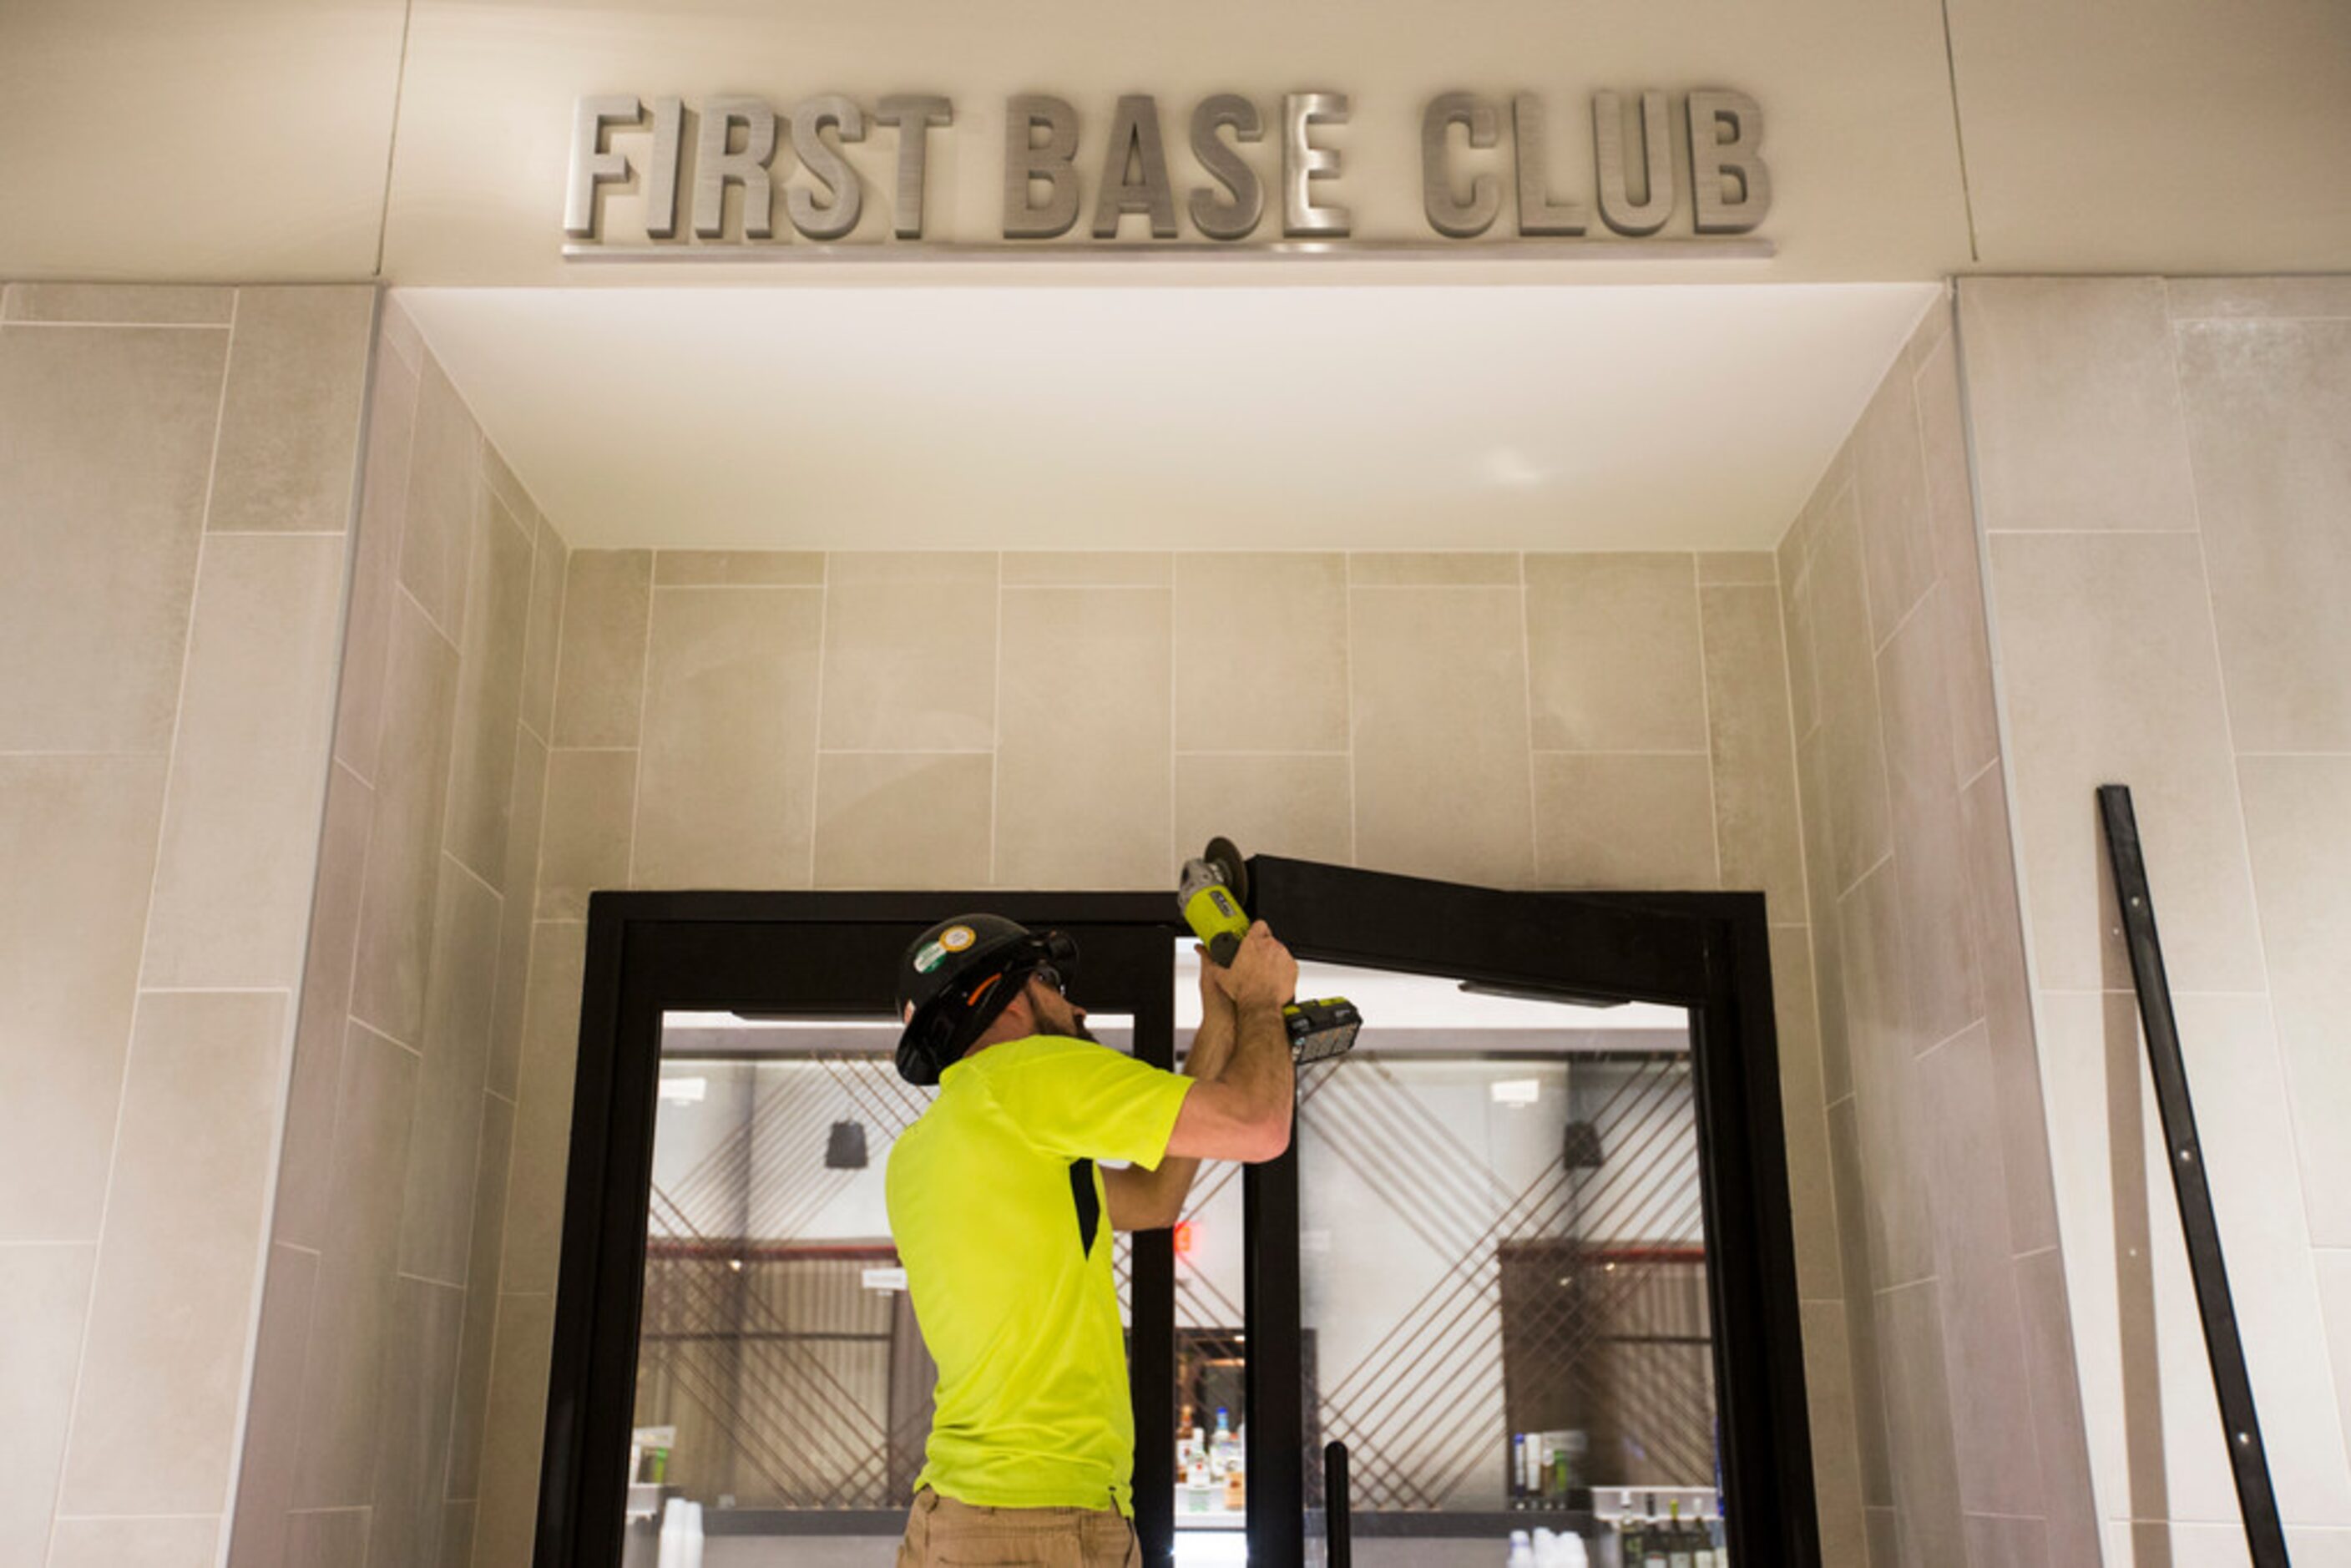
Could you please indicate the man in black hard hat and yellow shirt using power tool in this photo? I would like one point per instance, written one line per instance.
(998, 1202)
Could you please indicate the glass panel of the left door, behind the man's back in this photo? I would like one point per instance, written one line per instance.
(782, 1376)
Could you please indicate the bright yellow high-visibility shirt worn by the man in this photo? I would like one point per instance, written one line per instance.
(1017, 1304)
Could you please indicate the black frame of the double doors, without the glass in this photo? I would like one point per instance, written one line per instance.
(652, 953)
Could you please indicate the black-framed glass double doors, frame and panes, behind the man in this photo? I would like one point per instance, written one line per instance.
(1527, 1254)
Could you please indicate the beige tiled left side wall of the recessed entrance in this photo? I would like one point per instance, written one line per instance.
(373, 1365)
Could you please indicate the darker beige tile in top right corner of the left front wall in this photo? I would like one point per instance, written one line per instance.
(290, 420)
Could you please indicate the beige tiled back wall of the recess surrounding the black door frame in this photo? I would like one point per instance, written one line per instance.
(1085, 721)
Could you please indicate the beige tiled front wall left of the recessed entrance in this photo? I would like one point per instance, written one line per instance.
(178, 481)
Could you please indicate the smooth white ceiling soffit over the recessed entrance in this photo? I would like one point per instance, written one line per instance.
(1174, 417)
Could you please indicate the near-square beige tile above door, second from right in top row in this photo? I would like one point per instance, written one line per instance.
(1614, 652)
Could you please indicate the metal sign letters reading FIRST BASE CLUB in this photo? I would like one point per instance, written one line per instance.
(1184, 177)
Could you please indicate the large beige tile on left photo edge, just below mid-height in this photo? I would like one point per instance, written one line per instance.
(79, 843)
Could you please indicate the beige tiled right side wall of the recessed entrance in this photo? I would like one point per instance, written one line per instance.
(1962, 1400)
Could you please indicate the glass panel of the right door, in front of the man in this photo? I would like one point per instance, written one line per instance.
(1503, 1264)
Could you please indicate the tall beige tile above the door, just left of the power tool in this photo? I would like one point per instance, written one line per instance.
(1085, 737)
